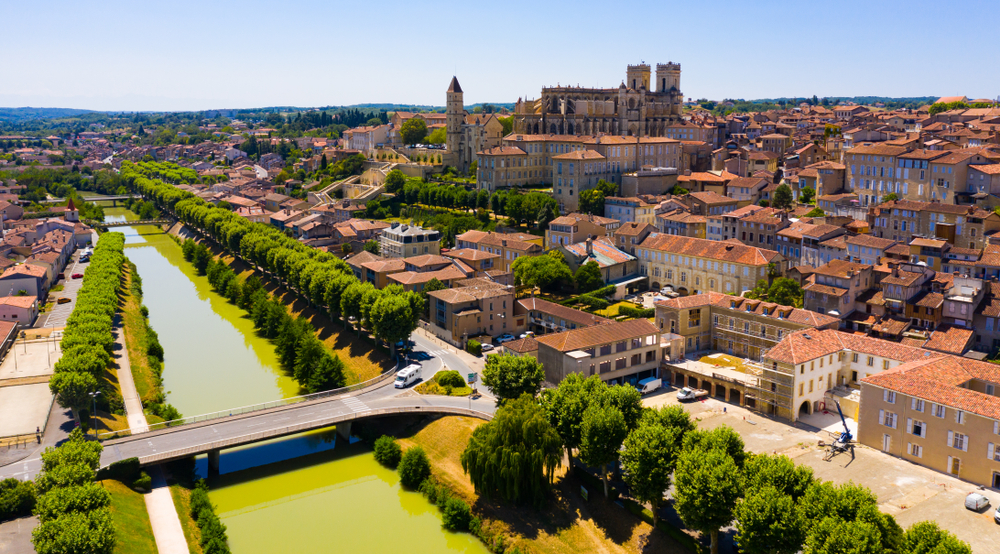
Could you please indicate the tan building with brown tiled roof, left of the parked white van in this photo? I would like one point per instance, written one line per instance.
(619, 352)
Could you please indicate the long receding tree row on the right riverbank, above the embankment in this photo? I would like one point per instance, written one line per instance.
(322, 279)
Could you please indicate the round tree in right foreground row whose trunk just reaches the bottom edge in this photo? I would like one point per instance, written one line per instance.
(706, 490)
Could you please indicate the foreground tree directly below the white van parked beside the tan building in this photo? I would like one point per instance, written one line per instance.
(648, 459)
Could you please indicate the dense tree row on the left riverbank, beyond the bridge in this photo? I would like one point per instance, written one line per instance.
(87, 340)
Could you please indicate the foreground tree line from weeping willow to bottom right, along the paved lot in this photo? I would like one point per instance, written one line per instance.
(778, 507)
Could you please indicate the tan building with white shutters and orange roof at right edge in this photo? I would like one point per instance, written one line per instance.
(938, 411)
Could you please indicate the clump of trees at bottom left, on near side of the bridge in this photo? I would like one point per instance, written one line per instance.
(73, 511)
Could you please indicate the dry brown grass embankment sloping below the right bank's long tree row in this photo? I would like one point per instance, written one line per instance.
(362, 361)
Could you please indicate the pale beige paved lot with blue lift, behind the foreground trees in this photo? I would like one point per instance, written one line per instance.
(909, 492)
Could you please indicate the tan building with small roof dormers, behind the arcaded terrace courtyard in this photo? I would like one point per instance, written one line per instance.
(734, 325)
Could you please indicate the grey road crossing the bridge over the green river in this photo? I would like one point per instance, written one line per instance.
(183, 441)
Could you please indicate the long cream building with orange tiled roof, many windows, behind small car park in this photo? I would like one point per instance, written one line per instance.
(693, 265)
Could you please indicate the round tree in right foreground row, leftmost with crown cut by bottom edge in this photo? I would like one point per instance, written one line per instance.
(768, 522)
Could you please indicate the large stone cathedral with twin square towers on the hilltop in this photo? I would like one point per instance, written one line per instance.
(640, 106)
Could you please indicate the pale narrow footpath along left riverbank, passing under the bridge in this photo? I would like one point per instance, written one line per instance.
(167, 530)
